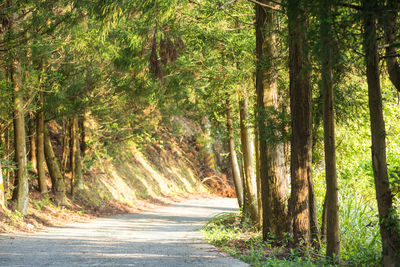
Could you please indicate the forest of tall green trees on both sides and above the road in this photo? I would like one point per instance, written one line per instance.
(298, 103)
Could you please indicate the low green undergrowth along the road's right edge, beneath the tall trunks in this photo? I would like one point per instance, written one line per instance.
(235, 236)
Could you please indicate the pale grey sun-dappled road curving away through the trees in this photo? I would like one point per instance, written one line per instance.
(168, 236)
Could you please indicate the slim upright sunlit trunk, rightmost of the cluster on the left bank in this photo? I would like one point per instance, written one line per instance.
(76, 159)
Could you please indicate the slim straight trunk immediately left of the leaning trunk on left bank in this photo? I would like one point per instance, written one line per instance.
(40, 149)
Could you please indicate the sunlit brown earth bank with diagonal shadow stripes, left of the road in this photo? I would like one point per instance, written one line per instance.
(131, 179)
